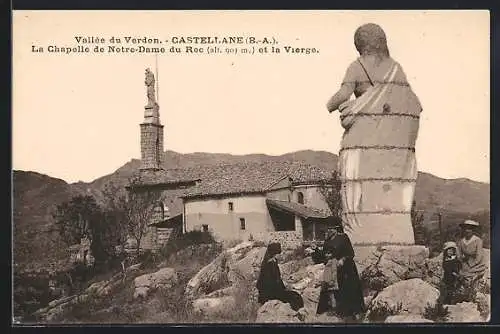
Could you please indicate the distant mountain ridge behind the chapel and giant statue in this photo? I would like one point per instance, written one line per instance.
(35, 194)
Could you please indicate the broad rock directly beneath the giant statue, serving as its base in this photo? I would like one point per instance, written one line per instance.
(390, 264)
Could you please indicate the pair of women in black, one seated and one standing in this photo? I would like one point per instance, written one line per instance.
(341, 290)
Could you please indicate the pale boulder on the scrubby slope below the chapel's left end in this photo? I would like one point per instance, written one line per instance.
(164, 278)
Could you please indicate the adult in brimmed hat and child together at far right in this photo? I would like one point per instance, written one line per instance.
(464, 265)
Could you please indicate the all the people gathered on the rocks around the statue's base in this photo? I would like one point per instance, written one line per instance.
(341, 293)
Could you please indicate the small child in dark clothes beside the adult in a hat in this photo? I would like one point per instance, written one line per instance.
(451, 274)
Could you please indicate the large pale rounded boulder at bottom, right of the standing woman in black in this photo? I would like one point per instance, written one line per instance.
(405, 297)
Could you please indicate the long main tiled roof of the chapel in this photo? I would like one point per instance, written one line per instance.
(247, 178)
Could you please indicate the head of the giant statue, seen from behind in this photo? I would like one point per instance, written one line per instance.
(370, 39)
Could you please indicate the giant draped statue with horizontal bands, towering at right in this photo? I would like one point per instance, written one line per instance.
(377, 157)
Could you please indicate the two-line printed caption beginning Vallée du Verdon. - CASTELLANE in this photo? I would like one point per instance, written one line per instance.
(173, 45)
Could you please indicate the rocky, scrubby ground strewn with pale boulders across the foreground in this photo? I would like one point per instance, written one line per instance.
(200, 284)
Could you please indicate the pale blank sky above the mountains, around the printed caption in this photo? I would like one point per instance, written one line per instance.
(77, 117)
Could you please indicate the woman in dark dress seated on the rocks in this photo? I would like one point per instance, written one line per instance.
(270, 284)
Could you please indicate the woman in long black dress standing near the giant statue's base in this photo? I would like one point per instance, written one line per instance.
(349, 297)
